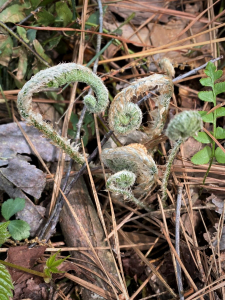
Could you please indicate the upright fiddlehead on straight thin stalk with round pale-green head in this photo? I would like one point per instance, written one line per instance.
(180, 128)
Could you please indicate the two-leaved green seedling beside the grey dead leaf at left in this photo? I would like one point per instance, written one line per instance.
(18, 229)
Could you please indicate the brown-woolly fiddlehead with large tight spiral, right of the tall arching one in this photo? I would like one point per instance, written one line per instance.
(125, 116)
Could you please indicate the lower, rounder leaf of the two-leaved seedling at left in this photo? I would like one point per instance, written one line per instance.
(19, 230)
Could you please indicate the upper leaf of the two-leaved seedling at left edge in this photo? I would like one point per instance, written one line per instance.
(11, 207)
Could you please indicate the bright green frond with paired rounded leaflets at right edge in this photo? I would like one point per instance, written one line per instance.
(207, 154)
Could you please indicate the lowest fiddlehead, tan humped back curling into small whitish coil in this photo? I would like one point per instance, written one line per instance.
(132, 158)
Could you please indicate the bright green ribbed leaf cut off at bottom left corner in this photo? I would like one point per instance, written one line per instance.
(6, 284)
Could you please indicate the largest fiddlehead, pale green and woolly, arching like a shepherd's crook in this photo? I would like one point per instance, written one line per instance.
(55, 77)
